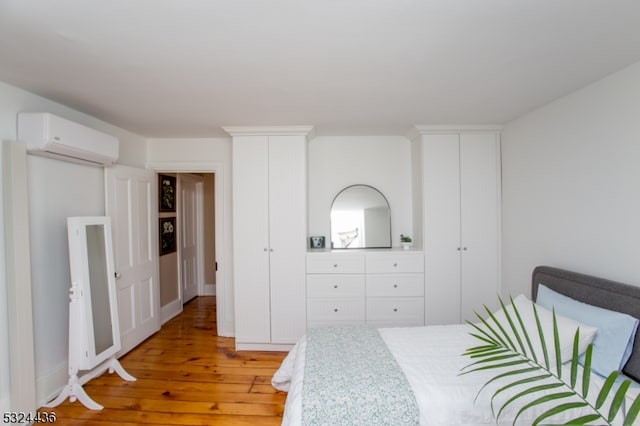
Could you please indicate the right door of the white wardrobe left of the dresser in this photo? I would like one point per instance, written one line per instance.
(287, 236)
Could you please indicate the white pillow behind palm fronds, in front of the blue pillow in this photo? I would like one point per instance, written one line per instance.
(566, 330)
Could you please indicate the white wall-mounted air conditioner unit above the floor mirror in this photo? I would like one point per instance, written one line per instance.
(52, 136)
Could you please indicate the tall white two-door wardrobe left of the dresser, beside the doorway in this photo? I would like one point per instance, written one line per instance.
(269, 234)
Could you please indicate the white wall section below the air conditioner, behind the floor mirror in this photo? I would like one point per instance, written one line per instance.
(57, 190)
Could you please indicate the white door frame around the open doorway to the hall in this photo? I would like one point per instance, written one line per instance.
(224, 294)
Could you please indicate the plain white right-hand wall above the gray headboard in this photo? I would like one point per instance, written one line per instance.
(571, 184)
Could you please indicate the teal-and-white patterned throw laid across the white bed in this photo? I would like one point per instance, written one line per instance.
(351, 378)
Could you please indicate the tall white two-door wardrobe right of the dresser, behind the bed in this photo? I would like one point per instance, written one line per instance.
(456, 184)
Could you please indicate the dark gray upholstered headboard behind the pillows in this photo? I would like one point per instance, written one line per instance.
(598, 292)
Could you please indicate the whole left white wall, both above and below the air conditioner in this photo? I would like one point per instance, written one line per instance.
(57, 189)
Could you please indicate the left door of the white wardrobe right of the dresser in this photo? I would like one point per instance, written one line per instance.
(441, 192)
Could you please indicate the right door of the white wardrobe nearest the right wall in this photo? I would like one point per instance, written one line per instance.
(480, 216)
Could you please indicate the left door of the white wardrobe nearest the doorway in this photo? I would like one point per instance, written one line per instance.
(251, 239)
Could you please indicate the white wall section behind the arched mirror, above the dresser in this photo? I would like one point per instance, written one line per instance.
(336, 162)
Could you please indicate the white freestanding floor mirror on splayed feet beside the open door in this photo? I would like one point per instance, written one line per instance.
(94, 332)
